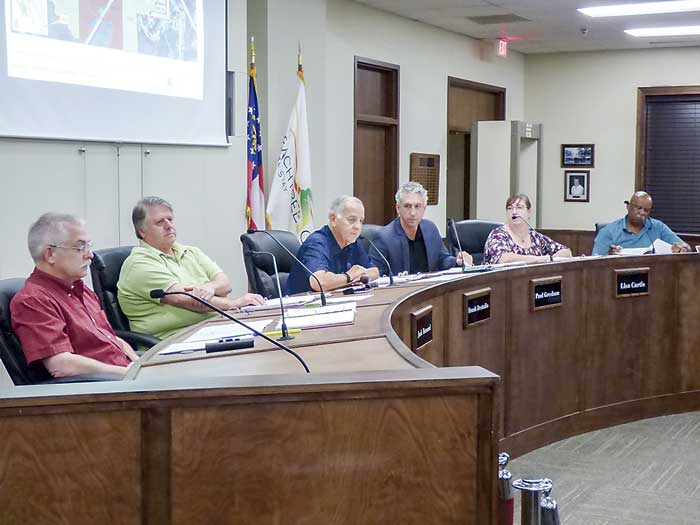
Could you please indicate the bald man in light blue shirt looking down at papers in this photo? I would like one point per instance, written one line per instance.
(636, 230)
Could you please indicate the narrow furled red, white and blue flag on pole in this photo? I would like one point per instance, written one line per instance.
(255, 202)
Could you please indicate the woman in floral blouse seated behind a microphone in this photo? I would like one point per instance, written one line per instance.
(515, 241)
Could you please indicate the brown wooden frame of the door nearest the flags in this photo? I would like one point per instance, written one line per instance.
(381, 121)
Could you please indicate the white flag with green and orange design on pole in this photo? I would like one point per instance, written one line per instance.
(290, 206)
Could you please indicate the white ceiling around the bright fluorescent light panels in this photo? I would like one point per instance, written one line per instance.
(553, 25)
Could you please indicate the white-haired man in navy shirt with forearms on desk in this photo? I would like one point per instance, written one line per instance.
(331, 253)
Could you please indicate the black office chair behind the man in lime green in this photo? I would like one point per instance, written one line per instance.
(104, 269)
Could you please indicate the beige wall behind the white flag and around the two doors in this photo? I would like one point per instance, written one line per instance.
(332, 33)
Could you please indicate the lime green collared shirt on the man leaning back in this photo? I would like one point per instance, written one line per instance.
(146, 269)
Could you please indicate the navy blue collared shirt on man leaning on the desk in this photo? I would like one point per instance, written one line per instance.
(321, 251)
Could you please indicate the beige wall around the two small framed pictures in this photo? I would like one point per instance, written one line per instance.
(592, 97)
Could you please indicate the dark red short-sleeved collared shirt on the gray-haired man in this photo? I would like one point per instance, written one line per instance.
(51, 317)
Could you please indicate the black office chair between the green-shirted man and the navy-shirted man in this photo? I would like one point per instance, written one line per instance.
(260, 270)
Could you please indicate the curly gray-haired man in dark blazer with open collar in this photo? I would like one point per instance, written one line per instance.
(411, 243)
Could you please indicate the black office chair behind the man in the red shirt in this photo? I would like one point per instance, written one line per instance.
(12, 355)
